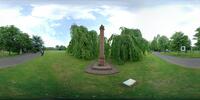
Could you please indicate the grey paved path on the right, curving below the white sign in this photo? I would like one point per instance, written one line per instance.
(185, 62)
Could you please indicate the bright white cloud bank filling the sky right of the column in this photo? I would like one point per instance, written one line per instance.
(164, 20)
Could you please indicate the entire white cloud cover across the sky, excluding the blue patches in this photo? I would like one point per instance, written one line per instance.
(164, 20)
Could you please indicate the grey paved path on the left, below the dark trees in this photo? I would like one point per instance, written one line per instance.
(8, 61)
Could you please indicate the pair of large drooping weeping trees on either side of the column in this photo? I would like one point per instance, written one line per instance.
(128, 46)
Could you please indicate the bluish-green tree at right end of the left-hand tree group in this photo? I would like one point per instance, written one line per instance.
(37, 43)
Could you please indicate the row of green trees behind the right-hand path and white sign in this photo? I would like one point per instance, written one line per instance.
(178, 39)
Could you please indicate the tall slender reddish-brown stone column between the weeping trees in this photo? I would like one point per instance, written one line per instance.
(101, 48)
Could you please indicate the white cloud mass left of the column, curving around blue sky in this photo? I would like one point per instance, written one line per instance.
(41, 20)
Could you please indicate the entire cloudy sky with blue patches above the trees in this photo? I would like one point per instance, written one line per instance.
(51, 19)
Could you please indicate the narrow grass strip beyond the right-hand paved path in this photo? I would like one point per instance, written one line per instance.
(195, 54)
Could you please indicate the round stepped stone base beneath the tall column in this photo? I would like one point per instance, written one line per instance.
(107, 69)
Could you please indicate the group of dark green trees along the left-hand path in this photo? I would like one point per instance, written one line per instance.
(12, 39)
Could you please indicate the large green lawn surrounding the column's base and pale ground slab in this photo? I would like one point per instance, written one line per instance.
(58, 75)
